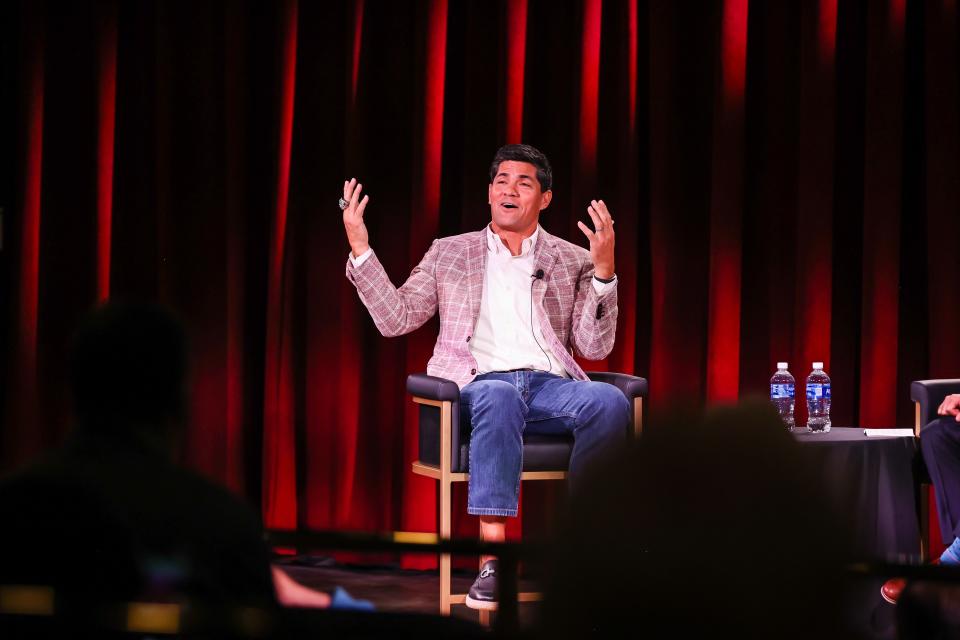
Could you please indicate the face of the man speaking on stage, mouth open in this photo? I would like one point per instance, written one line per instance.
(515, 198)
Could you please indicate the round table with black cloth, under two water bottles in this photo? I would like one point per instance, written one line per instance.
(872, 480)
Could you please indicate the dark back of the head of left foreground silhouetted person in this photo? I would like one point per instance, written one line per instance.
(128, 364)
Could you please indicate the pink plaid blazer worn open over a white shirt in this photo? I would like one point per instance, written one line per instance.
(449, 278)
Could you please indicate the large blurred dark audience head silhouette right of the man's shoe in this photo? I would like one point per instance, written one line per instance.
(710, 526)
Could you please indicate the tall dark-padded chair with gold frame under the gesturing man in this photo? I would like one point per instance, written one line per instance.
(444, 448)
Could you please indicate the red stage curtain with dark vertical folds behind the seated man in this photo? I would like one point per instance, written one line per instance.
(783, 175)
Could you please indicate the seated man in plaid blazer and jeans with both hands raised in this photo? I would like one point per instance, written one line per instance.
(514, 302)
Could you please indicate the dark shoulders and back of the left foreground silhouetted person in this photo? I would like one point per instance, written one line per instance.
(136, 519)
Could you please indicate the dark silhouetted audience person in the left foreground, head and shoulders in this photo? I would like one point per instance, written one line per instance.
(110, 517)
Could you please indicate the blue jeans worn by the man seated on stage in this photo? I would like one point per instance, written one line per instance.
(503, 406)
